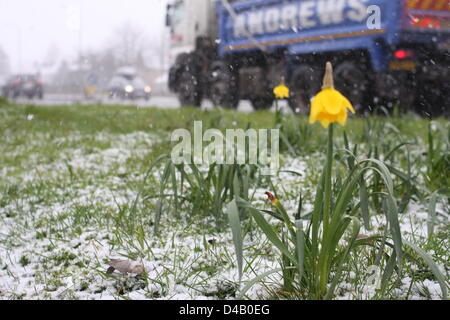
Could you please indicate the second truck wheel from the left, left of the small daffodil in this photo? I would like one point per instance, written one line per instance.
(224, 87)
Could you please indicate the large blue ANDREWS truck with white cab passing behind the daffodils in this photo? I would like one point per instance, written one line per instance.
(384, 51)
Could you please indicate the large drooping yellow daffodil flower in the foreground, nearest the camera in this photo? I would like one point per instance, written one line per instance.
(329, 105)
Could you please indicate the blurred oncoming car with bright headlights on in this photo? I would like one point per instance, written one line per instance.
(127, 84)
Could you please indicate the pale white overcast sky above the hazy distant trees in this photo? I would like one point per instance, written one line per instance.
(28, 28)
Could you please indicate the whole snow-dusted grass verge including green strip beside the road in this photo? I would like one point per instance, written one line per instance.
(69, 178)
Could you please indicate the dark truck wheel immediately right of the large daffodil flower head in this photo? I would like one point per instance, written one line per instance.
(352, 82)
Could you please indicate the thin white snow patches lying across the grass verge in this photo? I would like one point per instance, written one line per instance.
(48, 252)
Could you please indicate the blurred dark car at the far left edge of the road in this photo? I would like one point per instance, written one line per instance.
(24, 85)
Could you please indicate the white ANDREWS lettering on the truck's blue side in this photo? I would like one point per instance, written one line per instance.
(299, 15)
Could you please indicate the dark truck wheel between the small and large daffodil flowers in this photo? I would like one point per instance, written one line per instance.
(304, 84)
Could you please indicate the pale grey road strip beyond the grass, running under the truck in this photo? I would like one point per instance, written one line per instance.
(159, 101)
